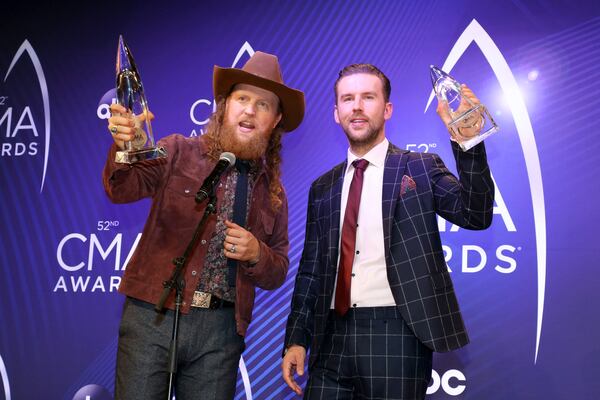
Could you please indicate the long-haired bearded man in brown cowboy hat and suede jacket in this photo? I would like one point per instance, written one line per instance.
(254, 108)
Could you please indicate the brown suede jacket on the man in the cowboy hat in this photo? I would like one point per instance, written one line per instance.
(172, 184)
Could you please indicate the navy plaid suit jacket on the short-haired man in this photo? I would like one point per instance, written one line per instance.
(416, 269)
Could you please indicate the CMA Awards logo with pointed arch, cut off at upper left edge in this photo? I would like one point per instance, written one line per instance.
(20, 133)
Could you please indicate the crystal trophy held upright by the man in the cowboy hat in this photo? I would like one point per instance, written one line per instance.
(130, 94)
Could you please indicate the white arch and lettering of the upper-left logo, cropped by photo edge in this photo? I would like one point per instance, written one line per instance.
(26, 121)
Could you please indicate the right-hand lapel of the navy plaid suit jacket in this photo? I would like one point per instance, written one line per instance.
(395, 164)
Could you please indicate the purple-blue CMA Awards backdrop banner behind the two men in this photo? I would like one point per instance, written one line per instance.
(528, 286)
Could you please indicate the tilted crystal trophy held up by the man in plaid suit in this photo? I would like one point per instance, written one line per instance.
(471, 123)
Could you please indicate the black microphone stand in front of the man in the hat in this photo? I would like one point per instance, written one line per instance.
(177, 282)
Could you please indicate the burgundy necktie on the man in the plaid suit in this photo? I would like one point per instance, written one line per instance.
(348, 245)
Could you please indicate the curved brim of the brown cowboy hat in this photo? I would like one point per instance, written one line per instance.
(292, 100)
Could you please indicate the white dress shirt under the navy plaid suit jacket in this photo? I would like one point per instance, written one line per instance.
(369, 286)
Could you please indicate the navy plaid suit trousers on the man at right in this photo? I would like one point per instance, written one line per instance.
(370, 353)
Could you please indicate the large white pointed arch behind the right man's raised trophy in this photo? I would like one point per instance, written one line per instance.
(475, 33)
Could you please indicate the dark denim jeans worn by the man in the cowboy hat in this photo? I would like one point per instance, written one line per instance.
(209, 351)
